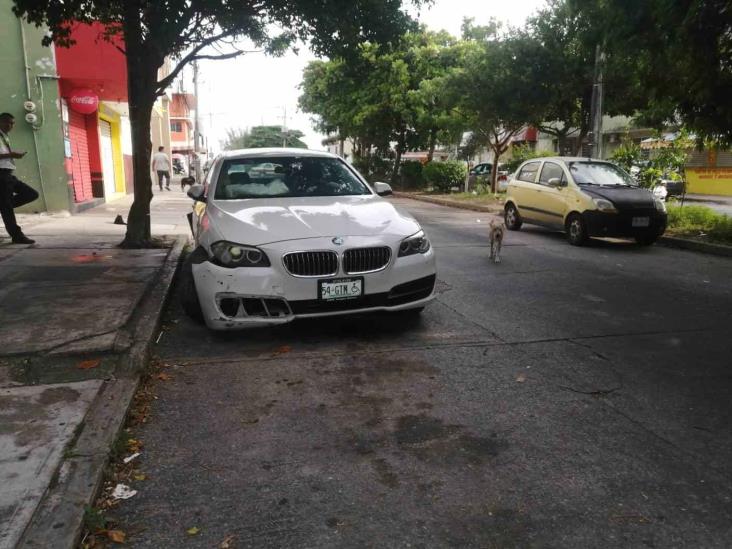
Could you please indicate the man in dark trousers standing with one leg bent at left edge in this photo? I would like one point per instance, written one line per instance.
(13, 192)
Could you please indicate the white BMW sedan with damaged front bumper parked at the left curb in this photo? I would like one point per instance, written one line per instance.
(289, 233)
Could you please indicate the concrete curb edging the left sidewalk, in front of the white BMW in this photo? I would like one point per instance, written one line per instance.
(59, 517)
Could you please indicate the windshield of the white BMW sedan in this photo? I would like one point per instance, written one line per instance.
(286, 176)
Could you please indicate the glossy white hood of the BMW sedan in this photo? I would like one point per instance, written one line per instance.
(263, 221)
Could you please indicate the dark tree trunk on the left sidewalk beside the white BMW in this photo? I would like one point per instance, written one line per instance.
(141, 84)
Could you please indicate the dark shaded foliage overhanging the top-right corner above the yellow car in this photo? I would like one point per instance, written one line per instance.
(682, 52)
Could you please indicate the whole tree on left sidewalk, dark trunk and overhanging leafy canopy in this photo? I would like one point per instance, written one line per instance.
(187, 30)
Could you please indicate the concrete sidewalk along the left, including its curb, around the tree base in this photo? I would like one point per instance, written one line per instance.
(76, 320)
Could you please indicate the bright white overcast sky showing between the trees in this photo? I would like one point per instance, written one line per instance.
(255, 89)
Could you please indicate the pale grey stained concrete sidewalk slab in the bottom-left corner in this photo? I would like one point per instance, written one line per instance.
(38, 425)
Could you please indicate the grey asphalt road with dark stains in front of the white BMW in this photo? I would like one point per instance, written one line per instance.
(567, 397)
